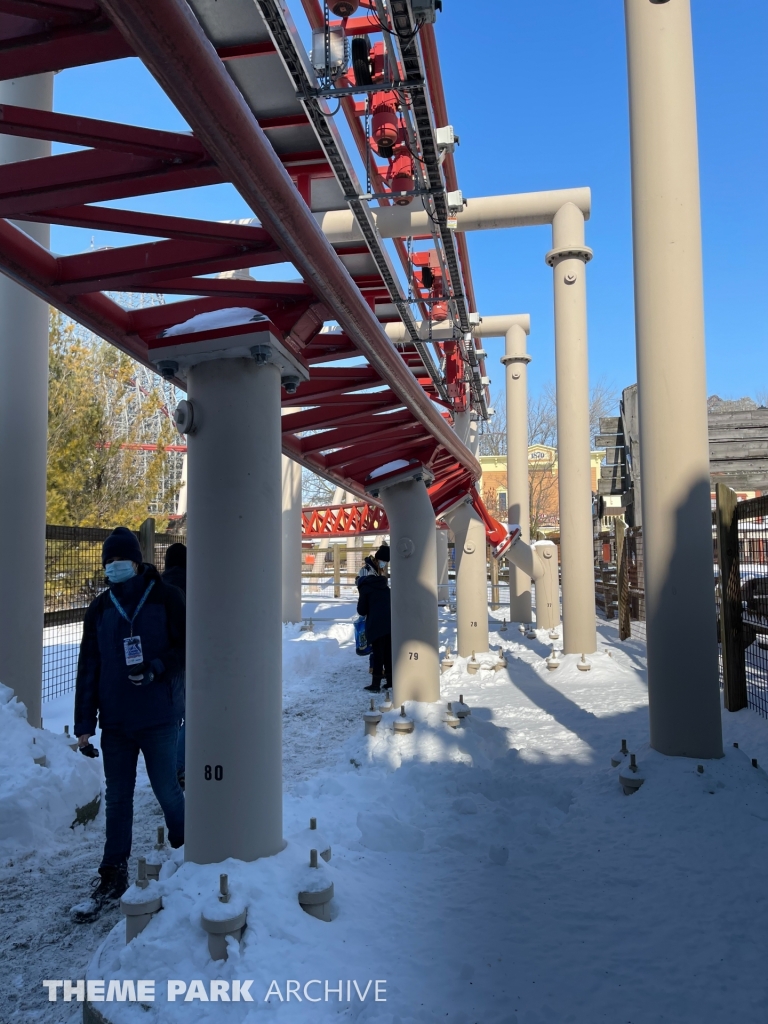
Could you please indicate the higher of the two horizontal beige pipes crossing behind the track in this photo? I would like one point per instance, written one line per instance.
(486, 214)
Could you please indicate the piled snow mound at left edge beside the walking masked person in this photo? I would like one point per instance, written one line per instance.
(46, 787)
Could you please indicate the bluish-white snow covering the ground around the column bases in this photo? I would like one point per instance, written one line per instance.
(492, 875)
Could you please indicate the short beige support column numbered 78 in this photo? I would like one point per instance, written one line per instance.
(472, 582)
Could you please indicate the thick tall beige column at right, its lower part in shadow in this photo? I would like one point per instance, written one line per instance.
(684, 688)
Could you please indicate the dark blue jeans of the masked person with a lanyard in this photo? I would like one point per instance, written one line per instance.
(121, 750)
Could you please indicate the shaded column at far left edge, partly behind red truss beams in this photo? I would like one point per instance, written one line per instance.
(24, 432)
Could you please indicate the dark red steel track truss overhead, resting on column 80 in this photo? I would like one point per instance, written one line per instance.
(366, 403)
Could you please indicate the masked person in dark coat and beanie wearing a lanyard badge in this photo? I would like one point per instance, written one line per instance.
(133, 650)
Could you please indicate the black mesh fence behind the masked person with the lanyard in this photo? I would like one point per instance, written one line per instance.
(73, 578)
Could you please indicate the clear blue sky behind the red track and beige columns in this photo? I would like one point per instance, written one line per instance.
(538, 94)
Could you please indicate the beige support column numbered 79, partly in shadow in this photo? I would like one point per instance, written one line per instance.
(414, 582)
